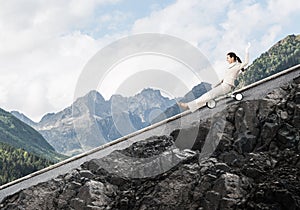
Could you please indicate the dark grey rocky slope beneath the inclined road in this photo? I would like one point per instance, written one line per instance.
(253, 162)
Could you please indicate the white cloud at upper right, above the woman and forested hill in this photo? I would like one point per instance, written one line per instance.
(222, 26)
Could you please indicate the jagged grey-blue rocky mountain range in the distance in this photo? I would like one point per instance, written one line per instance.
(92, 121)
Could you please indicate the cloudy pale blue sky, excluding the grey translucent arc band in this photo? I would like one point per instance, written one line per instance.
(46, 45)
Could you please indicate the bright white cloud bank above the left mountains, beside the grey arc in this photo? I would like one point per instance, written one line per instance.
(44, 79)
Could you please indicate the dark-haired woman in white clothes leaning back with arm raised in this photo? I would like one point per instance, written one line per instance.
(225, 86)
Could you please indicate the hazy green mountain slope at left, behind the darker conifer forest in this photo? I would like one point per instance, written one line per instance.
(19, 135)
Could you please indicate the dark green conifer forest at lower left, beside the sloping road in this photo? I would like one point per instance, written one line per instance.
(16, 163)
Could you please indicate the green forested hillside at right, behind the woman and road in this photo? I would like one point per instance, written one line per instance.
(284, 54)
